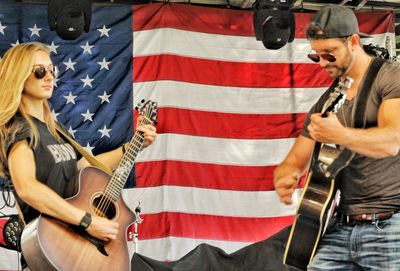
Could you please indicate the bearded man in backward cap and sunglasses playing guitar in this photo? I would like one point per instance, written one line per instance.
(365, 234)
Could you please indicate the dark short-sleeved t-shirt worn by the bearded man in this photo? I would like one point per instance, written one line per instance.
(368, 185)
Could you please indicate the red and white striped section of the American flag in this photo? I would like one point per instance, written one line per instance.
(229, 111)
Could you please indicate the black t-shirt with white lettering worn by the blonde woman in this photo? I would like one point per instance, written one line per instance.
(56, 163)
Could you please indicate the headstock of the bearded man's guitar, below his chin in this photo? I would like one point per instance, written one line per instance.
(338, 96)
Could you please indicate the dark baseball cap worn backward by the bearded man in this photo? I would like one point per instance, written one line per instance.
(336, 21)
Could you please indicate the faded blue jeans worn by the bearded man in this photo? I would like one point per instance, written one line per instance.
(360, 246)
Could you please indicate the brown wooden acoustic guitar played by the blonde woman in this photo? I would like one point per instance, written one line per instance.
(50, 244)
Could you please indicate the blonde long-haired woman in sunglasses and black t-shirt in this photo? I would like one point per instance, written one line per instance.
(29, 141)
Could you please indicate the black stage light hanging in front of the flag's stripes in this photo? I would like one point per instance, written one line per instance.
(274, 23)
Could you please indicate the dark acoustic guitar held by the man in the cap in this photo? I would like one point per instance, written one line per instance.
(320, 194)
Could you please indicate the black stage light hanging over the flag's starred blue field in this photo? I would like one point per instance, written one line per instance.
(69, 18)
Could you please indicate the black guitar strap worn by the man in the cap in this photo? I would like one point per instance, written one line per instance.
(359, 117)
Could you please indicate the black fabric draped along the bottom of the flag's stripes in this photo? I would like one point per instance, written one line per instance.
(265, 255)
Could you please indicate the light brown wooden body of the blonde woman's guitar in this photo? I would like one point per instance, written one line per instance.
(49, 244)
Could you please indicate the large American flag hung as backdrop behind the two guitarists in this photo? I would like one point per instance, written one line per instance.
(229, 110)
